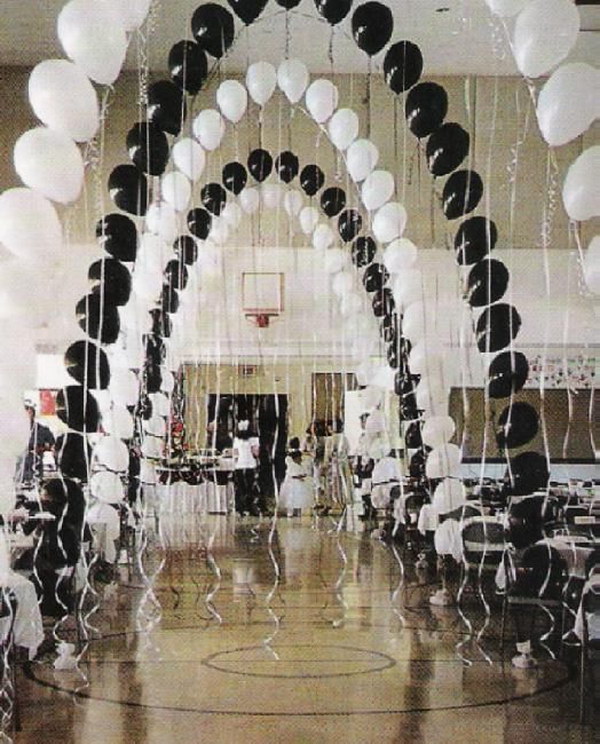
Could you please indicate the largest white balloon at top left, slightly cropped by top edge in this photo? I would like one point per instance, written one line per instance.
(93, 36)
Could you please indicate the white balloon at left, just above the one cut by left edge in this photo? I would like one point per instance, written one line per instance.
(51, 163)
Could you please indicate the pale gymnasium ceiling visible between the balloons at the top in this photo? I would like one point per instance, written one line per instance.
(457, 37)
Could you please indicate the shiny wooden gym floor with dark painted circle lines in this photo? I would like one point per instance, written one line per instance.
(236, 630)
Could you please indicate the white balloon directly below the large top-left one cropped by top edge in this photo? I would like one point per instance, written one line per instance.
(63, 98)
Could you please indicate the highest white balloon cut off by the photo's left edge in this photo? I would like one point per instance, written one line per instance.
(29, 225)
